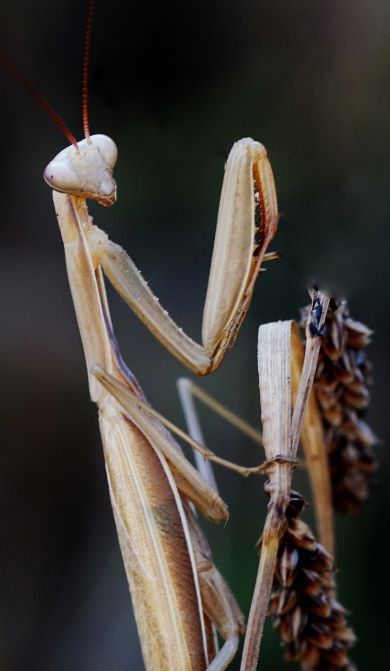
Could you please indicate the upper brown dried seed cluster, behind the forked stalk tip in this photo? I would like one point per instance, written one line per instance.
(341, 385)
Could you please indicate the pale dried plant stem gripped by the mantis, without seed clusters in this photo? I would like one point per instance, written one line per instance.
(280, 437)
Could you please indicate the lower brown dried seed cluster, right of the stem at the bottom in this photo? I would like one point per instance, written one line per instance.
(310, 621)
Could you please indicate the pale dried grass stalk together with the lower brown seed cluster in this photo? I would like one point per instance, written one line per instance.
(301, 568)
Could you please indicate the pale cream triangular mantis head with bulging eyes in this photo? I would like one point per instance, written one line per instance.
(85, 170)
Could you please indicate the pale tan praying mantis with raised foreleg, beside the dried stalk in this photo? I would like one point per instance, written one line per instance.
(178, 594)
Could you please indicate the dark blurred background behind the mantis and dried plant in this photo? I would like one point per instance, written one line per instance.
(175, 84)
